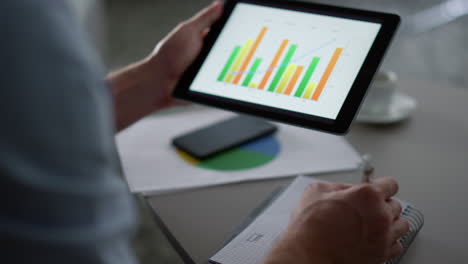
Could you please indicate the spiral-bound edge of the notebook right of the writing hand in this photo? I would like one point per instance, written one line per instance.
(416, 221)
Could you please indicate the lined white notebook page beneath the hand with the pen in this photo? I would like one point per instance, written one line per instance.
(254, 242)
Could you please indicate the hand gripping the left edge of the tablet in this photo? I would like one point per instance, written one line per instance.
(146, 86)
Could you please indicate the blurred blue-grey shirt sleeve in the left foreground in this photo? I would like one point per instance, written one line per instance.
(61, 199)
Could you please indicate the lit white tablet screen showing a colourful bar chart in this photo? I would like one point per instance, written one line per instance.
(292, 60)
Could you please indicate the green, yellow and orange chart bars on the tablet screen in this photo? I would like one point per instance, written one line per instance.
(283, 77)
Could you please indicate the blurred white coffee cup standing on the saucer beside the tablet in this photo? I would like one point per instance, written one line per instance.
(380, 94)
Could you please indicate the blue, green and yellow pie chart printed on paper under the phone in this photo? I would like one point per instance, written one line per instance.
(248, 156)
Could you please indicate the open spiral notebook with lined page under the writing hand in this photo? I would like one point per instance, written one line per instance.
(260, 231)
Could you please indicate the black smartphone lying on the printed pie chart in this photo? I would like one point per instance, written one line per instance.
(221, 136)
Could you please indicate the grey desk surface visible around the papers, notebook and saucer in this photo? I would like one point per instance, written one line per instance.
(427, 154)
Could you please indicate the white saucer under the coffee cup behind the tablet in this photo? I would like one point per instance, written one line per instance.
(401, 107)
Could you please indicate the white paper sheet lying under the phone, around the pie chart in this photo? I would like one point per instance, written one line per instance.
(152, 166)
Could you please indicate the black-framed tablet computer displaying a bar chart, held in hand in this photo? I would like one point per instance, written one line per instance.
(301, 63)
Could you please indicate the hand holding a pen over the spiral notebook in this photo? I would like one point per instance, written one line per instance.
(342, 223)
